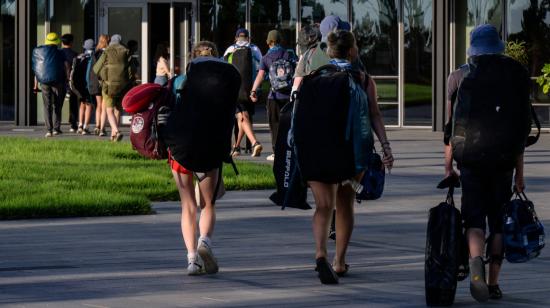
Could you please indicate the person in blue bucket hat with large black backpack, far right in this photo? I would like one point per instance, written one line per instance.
(484, 193)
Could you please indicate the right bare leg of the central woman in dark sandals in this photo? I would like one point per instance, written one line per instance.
(344, 225)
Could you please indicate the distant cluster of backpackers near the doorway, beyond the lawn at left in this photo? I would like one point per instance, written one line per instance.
(96, 78)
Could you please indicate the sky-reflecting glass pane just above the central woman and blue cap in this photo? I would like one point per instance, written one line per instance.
(313, 11)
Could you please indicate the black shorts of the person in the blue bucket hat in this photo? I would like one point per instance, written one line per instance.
(484, 195)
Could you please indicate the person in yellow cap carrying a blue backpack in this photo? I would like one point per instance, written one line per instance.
(50, 70)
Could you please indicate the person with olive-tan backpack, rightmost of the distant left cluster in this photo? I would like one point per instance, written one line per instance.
(113, 68)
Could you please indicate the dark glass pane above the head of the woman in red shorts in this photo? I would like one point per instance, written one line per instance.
(220, 19)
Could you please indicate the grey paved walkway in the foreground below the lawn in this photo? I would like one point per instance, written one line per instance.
(265, 254)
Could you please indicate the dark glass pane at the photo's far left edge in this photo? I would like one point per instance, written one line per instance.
(7, 60)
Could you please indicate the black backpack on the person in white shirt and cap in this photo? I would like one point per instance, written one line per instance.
(241, 58)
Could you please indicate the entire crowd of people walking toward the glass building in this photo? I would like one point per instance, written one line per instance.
(331, 42)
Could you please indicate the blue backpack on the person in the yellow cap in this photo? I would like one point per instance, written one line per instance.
(48, 64)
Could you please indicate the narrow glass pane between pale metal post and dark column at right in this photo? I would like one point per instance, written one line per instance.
(417, 22)
